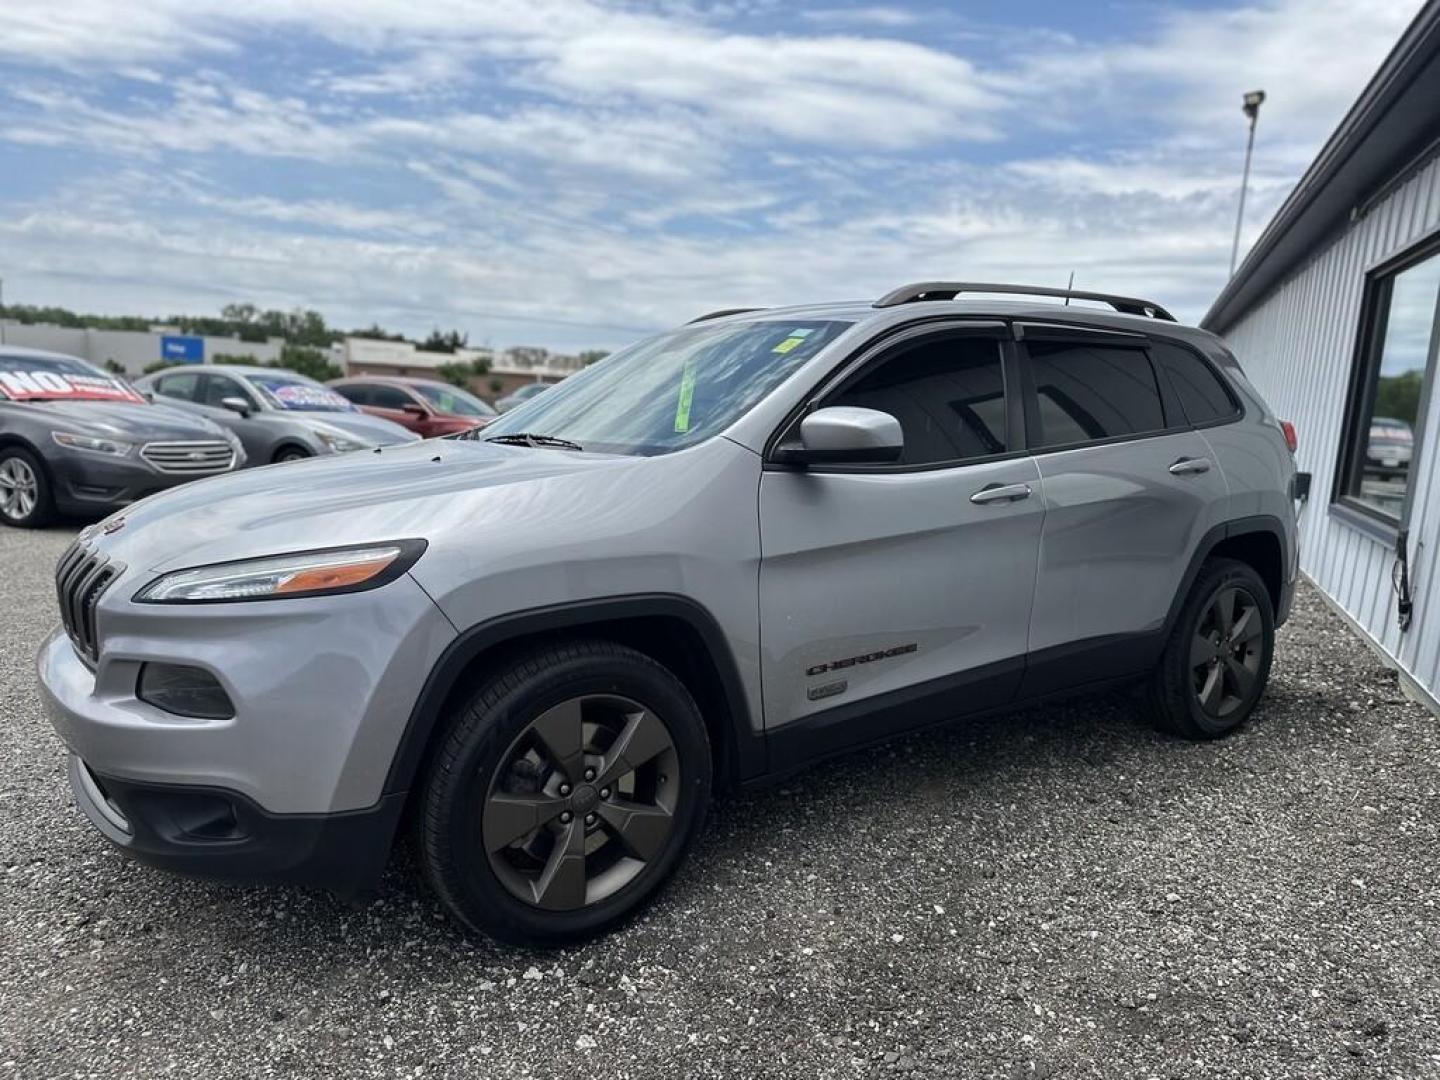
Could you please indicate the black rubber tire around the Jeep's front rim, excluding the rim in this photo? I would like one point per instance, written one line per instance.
(486, 902)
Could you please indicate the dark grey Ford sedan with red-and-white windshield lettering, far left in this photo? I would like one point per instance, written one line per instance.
(78, 441)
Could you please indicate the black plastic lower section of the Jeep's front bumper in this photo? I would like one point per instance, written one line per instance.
(215, 833)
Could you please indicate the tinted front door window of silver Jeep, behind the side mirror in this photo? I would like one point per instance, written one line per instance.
(948, 394)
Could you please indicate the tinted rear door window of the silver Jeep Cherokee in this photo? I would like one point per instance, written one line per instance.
(1088, 392)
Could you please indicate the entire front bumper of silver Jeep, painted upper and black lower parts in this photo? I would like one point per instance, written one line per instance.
(293, 786)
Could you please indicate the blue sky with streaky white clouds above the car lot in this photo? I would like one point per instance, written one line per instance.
(580, 174)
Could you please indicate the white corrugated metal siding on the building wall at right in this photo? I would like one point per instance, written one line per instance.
(1298, 346)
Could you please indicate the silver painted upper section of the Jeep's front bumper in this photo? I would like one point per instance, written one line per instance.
(322, 688)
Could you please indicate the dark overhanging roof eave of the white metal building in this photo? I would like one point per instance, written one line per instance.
(1392, 126)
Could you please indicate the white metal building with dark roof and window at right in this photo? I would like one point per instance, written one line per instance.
(1336, 318)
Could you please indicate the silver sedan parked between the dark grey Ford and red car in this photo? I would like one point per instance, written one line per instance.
(277, 415)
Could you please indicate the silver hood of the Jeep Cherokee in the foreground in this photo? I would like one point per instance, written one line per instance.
(441, 490)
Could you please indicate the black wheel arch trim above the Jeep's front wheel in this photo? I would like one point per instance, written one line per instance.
(747, 754)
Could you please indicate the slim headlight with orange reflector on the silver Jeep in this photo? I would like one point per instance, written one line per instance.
(280, 577)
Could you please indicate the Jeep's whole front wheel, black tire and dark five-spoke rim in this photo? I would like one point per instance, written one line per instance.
(509, 762)
